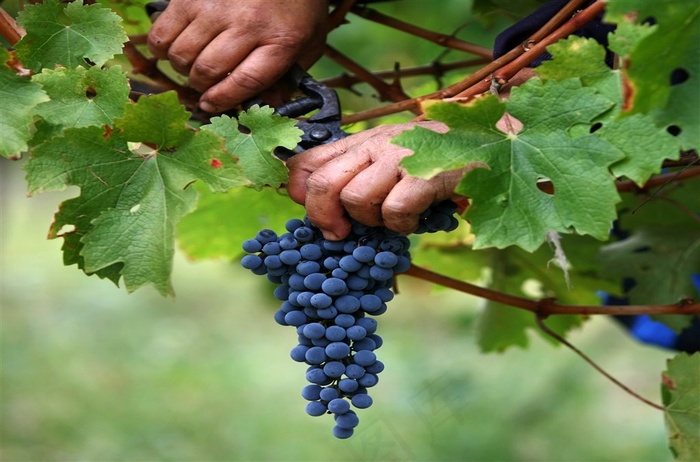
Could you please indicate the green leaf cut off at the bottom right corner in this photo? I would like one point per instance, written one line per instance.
(680, 390)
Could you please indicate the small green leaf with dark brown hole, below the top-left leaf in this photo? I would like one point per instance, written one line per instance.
(82, 97)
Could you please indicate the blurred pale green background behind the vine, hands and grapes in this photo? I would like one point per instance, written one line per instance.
(91, 373)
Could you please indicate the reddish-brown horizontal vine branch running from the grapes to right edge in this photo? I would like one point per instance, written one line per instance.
(548, 306)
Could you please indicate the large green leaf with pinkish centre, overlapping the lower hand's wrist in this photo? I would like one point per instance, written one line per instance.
(507, 207)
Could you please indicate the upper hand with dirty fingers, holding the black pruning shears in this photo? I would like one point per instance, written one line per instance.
(234, 50)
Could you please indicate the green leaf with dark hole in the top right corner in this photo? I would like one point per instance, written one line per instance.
(668, 52)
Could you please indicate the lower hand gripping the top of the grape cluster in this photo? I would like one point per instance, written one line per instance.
(360, 176)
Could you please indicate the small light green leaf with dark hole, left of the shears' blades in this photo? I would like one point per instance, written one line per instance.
(254, 144)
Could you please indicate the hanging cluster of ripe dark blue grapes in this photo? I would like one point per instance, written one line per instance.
(329, 292)
